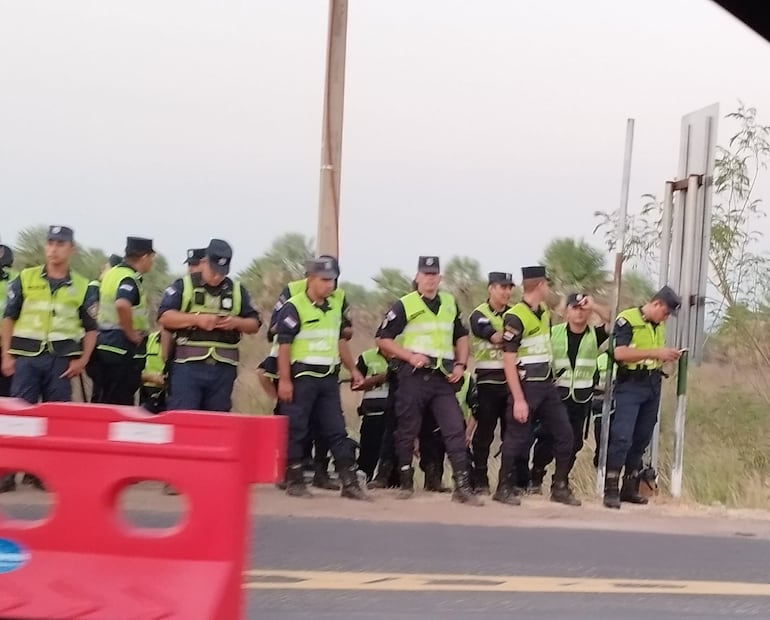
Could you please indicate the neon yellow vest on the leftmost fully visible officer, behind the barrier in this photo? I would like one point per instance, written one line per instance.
(49, 320)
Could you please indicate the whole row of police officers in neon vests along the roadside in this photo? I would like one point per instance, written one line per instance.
(535, 379)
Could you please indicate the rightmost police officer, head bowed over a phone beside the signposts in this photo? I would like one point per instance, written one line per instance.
(640, 352)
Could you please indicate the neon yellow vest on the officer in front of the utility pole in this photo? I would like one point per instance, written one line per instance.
(317, 343)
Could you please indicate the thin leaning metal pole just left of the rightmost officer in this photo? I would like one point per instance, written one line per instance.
(620, 236)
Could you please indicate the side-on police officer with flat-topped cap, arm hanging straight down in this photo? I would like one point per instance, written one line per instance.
(527, 363)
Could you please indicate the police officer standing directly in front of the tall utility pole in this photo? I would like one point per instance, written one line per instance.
(309, 333)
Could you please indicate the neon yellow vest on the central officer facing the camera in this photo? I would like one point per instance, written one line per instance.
(428, 333)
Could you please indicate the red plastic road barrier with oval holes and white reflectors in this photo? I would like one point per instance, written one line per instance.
(83, 560)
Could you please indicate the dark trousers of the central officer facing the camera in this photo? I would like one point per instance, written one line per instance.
(419, 392)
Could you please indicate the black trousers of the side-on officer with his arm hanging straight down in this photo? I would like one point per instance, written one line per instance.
(545, 407)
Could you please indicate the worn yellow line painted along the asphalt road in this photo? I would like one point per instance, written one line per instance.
(259, 579)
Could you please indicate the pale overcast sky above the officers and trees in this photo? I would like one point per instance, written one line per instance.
(482, 127)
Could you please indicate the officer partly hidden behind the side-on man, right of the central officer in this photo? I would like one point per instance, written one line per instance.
(487, 329)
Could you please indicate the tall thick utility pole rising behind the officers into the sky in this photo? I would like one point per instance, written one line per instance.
(331, 139)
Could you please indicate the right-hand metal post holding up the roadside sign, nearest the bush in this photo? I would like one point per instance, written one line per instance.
(688, 266)
